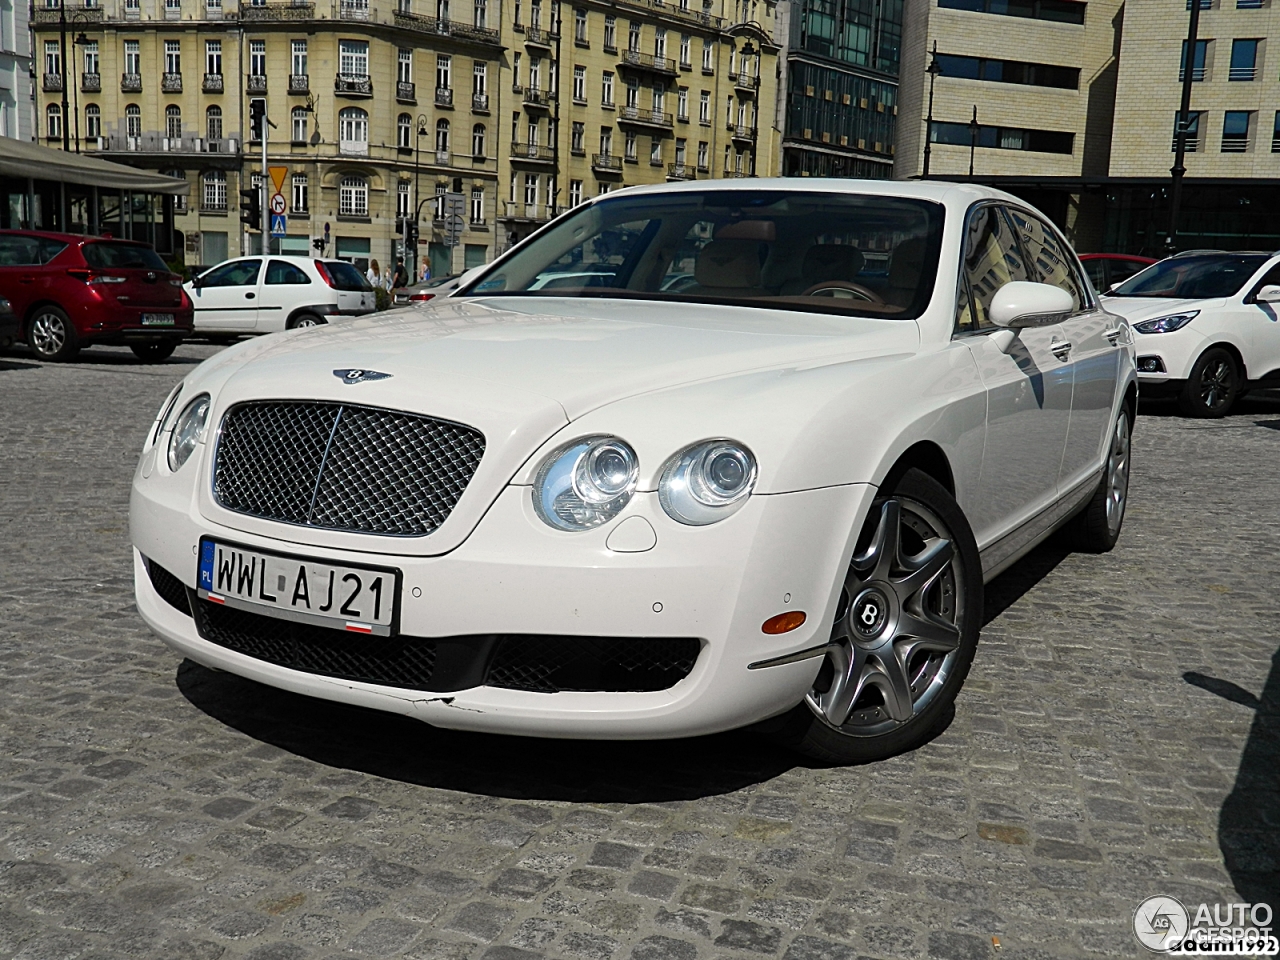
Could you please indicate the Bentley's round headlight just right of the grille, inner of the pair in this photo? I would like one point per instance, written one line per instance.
(586, 483)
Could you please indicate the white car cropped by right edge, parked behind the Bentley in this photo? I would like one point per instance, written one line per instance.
(1208, 324)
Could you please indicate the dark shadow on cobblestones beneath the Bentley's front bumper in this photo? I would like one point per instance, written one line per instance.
(519, 769)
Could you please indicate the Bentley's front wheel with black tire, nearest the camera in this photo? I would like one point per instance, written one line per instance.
(917, 505)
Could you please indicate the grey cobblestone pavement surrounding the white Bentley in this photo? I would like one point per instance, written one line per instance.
(150, 808)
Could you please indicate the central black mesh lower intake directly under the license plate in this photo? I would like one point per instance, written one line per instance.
(400, 661)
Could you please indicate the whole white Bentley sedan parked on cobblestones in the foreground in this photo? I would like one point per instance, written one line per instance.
(769, 495)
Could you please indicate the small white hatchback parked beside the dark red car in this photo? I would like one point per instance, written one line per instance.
(272, 294)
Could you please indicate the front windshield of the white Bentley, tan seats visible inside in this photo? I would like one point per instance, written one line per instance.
(833, 253)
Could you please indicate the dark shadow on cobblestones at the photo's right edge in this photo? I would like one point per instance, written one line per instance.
(1249, 826)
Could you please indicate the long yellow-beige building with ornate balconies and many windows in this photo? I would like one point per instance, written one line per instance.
(380, 107)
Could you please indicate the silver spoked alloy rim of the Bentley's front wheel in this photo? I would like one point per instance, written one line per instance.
(898, 625)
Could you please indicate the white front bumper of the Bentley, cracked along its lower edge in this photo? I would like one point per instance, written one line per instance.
(515, 577)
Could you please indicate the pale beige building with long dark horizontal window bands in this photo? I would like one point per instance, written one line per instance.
(1041, 76)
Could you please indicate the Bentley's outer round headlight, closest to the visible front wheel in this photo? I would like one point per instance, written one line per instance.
(707, 482)
